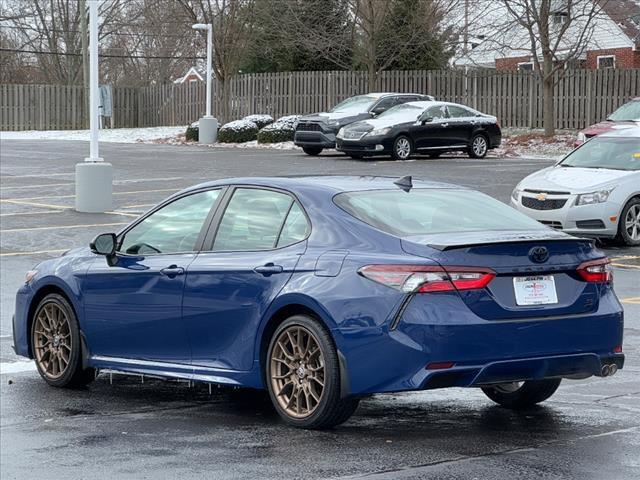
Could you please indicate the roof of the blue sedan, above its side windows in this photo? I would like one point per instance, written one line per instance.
(331, 183)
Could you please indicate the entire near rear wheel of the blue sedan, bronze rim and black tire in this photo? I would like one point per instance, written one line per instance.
(303, 375)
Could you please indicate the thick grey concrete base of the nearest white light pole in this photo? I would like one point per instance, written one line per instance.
(94, 187)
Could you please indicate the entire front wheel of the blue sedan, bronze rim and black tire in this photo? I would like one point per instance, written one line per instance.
(55, 343)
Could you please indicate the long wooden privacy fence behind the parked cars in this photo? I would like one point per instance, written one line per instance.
(582, 97)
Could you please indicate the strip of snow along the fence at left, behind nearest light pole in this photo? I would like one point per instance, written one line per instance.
(112, 135)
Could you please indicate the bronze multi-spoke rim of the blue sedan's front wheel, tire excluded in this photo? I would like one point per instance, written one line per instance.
(52, 340)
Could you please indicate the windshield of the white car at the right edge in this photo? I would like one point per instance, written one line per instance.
(602, 152)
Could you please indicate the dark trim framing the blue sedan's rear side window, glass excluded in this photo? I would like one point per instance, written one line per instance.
(212, 231)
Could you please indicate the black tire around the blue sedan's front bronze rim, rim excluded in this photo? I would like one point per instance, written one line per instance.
(73, 375)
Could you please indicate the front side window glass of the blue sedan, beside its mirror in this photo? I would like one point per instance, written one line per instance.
(172, 229)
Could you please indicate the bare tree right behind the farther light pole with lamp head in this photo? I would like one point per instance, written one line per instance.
(232, 24)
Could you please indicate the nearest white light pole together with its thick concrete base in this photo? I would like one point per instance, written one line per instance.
(94, 177)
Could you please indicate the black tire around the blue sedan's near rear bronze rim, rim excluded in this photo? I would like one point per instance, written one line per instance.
(331, 410)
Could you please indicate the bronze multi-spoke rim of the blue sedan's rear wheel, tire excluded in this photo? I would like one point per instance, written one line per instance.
(297, 371)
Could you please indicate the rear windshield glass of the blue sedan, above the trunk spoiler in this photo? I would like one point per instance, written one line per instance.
(429, 211)
